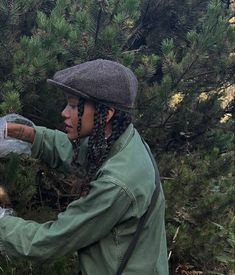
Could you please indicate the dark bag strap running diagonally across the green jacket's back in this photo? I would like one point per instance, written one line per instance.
(144, 218)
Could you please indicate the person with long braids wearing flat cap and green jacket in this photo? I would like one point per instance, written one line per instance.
(117, 188)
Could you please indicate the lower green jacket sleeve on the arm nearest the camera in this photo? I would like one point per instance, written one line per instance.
(84, 222)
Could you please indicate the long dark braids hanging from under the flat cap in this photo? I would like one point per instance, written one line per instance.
(98, 145)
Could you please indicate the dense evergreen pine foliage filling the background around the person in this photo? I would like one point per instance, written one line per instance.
(181, 54)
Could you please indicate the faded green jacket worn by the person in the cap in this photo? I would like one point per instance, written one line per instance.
(101, 225)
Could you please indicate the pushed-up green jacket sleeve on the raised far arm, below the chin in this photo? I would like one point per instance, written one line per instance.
(52, 147)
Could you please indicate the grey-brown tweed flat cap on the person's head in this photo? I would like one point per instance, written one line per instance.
(100, 80)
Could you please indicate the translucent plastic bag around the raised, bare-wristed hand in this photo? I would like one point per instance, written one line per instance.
(13, 145)
